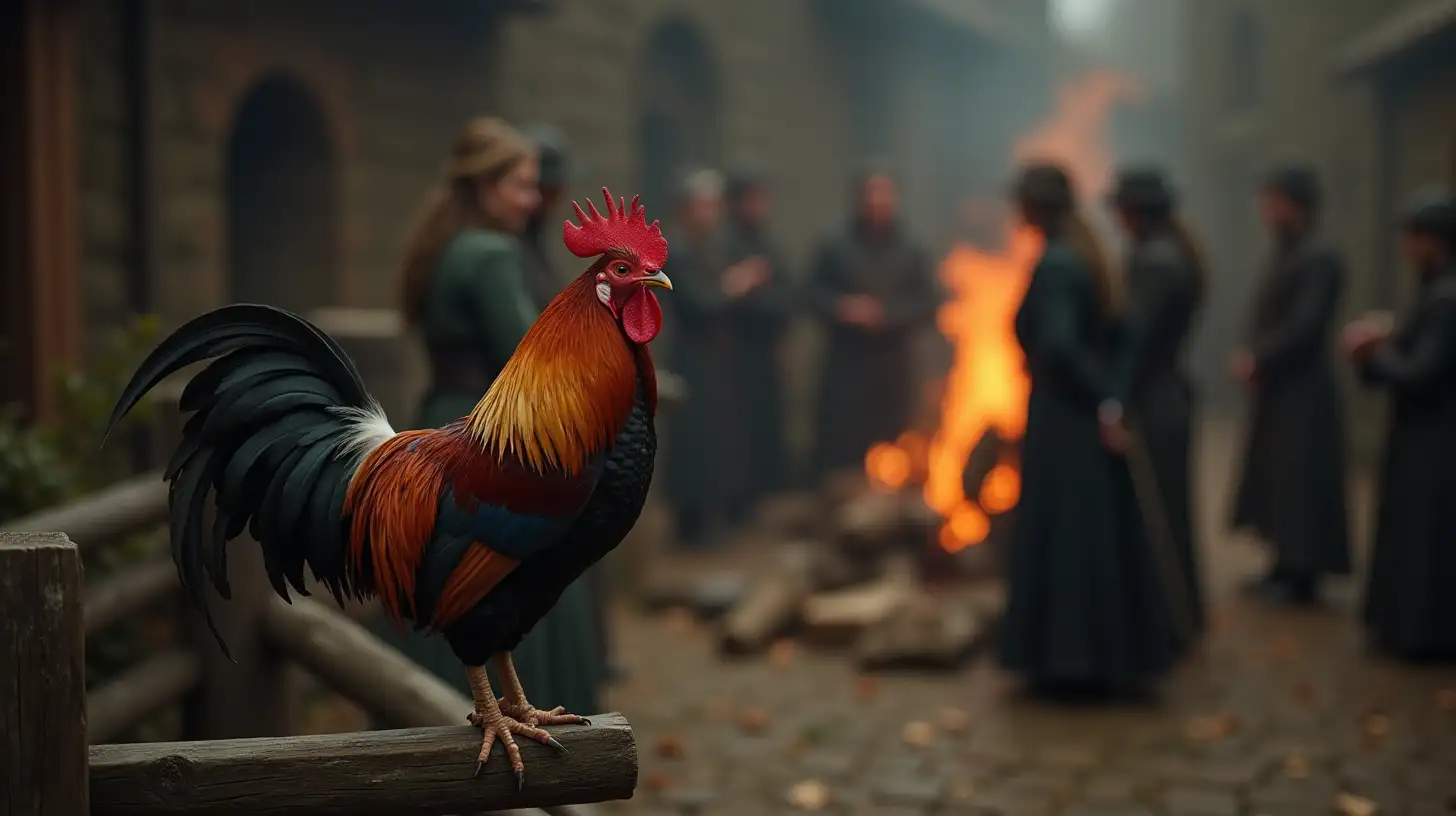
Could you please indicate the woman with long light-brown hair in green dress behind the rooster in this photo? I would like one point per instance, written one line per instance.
(467, 295)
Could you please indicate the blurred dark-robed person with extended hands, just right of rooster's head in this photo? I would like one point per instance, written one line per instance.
(704, 463)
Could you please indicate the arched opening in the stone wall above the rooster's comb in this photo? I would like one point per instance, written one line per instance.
(681, 123)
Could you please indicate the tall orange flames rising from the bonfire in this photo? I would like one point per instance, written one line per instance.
(986, 388)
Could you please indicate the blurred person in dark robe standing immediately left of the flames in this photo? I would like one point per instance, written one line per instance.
(874, 289)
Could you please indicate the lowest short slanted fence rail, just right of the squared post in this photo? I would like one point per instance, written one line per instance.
(139, 693)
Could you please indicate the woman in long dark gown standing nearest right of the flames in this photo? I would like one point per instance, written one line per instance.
(1085, 608)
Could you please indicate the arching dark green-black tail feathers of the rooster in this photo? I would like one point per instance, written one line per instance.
(264, 442)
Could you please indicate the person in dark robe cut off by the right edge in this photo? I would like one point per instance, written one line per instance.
(1412, 598)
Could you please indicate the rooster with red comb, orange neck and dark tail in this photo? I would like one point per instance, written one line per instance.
(471, 531)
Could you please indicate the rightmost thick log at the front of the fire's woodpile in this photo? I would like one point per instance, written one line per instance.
(930, 632)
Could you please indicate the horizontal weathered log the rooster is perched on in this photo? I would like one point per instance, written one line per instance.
(408, 773)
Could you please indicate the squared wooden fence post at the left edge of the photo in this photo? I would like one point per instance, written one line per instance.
(43, 690)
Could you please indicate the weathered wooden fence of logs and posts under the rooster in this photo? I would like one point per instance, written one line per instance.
(53, 729)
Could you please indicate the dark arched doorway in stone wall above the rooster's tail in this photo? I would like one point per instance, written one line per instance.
(282, 200)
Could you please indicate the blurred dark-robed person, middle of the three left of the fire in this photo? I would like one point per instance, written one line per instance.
(758, 321)
